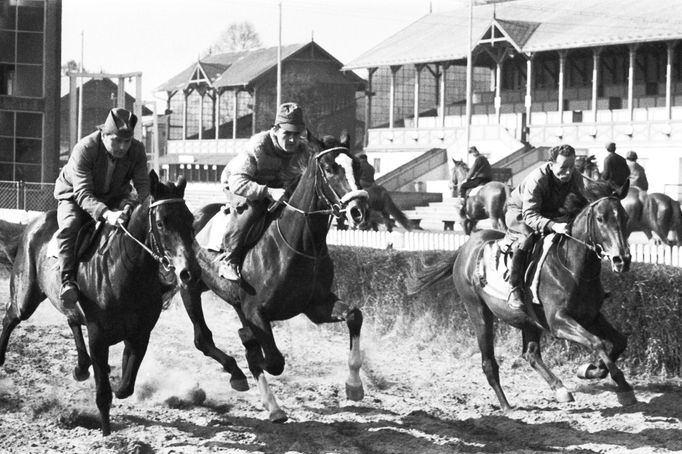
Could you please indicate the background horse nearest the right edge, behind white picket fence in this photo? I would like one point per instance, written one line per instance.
(654, 213)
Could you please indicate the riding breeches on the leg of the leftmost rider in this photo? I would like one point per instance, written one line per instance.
(70, 218)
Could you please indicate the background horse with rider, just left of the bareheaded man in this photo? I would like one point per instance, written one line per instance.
(489, 202)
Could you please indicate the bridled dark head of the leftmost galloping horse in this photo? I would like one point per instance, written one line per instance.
(169, 232)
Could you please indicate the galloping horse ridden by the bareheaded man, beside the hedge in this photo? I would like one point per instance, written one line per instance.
(569, 289)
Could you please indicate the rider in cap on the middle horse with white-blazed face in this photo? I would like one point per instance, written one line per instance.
(256, 177)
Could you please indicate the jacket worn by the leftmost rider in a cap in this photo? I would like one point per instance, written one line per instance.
(82, 178)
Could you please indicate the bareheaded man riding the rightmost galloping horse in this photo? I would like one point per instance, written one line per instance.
(535, 206)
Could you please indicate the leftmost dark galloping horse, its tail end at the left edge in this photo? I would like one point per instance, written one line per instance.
(121, 285)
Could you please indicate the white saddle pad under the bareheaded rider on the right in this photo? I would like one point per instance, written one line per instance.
(492, 269)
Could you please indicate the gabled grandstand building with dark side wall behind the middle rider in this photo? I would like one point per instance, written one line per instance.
(216, 104)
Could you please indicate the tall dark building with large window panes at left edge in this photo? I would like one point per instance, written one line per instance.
(30, 54)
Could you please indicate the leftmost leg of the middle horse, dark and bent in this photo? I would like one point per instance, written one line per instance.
(203, 338)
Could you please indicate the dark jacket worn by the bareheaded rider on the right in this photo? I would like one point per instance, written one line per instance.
(540, 196)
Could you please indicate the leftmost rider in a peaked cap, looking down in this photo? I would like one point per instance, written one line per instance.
(95, 184)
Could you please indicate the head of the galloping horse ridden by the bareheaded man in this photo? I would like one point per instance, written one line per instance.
(601, 225)
